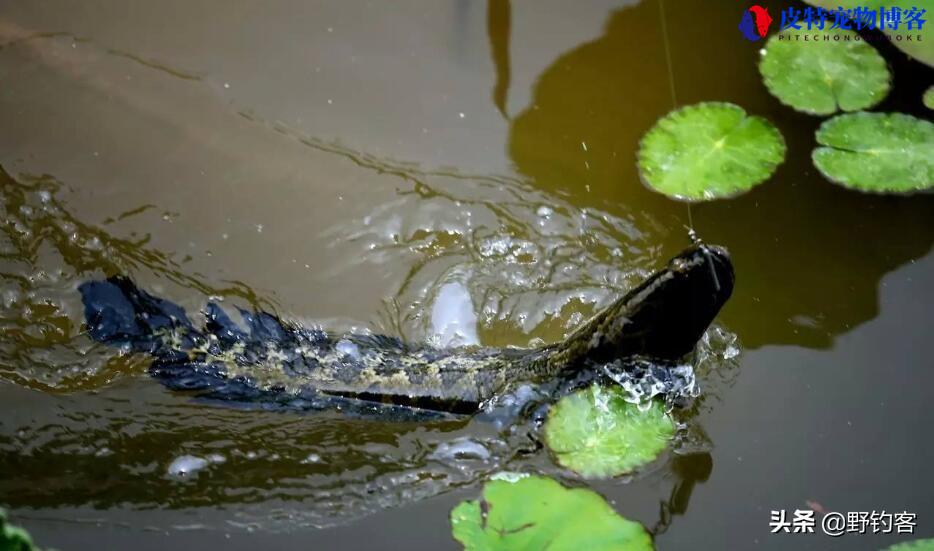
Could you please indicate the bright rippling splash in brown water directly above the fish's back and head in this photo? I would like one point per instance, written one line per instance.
(534, 265)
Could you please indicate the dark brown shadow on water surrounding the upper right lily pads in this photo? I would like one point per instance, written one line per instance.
(809, 255)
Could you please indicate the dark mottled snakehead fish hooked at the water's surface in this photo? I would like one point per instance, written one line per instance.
(269, 361)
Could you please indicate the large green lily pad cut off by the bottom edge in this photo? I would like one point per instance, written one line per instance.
(533, 512)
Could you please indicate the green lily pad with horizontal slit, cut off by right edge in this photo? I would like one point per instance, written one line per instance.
(878, 152)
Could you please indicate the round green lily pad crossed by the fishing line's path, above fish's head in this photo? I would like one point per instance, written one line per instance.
(709, 151)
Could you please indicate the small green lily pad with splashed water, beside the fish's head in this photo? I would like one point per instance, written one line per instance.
(596, 433)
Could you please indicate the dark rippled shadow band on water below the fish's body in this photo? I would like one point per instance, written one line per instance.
(114, 458)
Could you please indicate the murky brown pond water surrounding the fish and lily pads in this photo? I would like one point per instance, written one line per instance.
(339, 163)
